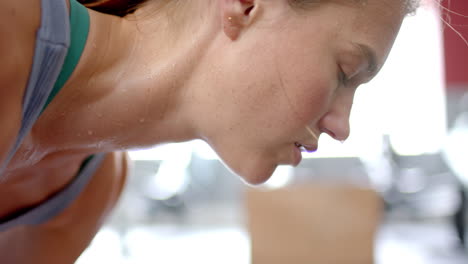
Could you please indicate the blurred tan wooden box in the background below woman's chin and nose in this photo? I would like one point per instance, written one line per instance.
(321, 224)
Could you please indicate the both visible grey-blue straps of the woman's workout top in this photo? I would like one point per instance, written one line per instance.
(52, 42)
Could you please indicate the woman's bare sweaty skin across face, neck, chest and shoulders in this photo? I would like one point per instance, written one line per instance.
(248, 85)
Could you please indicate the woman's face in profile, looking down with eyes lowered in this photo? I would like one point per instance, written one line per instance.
(289, 69)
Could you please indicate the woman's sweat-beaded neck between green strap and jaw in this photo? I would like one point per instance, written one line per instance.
(130, 88)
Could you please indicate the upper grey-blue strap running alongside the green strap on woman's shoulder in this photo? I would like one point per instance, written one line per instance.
(52, 42)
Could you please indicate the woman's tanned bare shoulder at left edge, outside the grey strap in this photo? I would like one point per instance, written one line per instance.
(19, 21)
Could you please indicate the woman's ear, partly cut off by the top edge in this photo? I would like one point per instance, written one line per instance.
(236, 15)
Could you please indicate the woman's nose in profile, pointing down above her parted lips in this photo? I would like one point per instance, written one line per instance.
(336, 121)
